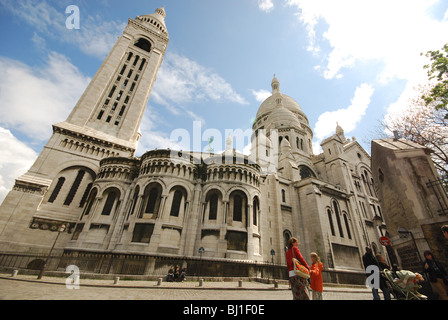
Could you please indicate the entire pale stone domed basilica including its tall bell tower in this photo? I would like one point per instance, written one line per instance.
(189, 206)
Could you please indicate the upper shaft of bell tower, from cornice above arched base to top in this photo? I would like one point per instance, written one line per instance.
(114, 102)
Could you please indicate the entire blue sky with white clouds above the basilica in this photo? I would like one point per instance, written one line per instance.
(345, 61)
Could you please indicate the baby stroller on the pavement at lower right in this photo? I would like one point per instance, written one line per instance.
(404, 284)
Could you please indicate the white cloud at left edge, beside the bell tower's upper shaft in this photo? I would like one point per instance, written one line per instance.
(35, 98)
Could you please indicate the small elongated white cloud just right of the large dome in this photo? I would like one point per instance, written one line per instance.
(348, 118)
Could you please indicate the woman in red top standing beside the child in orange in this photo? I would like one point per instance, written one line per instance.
(298, 284)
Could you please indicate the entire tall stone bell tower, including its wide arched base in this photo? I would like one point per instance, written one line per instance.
(104, 122)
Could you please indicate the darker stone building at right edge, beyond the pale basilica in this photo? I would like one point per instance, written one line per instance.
(414, 201)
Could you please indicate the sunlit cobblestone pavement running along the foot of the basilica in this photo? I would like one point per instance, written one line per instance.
(27, 287)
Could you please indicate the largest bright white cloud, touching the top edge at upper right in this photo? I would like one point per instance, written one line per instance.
(392, 32)
